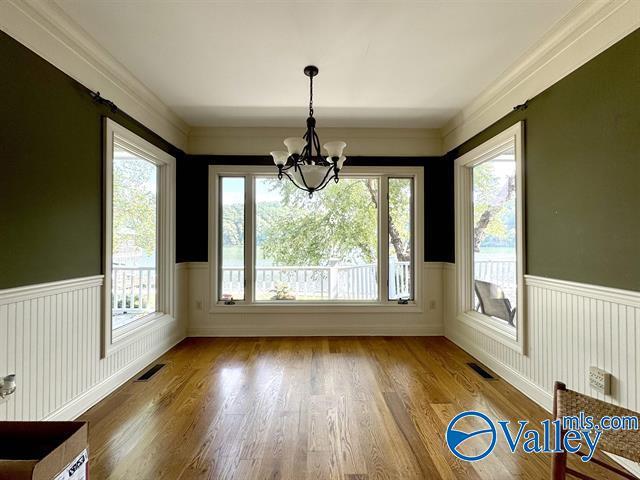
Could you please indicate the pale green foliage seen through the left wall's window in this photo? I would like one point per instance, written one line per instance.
(134, 204)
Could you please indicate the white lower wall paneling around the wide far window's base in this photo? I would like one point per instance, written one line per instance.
(320, 321)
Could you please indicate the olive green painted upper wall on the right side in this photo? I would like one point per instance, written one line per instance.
(583, 171)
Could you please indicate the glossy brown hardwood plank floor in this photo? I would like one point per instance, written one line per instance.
(306, 408)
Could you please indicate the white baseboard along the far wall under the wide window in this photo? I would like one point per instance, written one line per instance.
(313, 331)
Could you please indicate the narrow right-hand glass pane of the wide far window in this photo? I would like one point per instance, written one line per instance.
(400, 241)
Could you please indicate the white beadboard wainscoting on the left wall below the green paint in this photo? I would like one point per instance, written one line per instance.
(50, 338)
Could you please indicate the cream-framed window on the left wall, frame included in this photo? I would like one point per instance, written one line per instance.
(139, 234)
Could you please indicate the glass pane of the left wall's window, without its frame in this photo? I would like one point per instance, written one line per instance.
(134, 238)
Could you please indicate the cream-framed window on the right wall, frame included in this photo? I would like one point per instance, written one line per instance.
(490, 237)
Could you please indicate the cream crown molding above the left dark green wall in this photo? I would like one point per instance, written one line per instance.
(44, 28)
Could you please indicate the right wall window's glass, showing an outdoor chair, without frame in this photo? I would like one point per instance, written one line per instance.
(494, 237)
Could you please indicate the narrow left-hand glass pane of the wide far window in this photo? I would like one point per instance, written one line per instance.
(232, 229)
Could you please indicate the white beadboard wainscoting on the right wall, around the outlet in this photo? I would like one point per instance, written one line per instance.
(570, 327)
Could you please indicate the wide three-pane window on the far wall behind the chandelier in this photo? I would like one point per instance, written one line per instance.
(273, 244)
